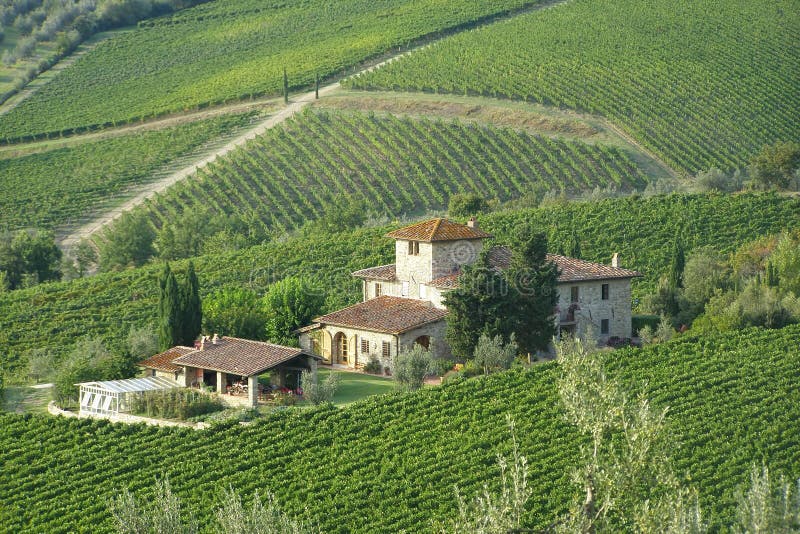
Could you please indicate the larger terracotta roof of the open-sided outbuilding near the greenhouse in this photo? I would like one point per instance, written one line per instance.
(237, 356)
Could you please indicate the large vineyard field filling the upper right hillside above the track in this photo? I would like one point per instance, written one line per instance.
(678, 76)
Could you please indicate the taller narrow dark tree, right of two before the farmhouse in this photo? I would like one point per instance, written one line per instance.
(532, 279)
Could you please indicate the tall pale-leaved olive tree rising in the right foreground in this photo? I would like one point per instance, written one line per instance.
(626, 484)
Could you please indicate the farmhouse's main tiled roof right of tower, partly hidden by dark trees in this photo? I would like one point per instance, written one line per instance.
(572, 269)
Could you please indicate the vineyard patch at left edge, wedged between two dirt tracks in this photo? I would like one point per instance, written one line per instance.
(52, 188)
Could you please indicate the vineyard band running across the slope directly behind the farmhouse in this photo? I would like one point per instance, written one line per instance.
(642, 230)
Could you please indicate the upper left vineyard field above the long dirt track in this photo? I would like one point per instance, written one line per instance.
(231, 49)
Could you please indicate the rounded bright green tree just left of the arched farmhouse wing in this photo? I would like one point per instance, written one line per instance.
(289, 304)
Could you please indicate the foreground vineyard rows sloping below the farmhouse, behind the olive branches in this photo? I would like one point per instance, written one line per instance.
(391, 462)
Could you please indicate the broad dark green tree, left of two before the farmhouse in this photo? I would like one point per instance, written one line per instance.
(479, 305)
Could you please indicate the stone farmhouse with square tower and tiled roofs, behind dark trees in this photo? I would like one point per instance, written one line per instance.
(403, 302)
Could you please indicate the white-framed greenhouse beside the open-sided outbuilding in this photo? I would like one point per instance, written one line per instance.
(110, 397)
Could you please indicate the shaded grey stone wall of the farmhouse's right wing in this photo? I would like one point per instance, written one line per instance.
(593, 309)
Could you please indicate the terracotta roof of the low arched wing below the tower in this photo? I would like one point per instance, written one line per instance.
(391, 315)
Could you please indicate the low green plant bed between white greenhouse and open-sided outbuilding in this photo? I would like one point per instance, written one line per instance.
(175, 403)
